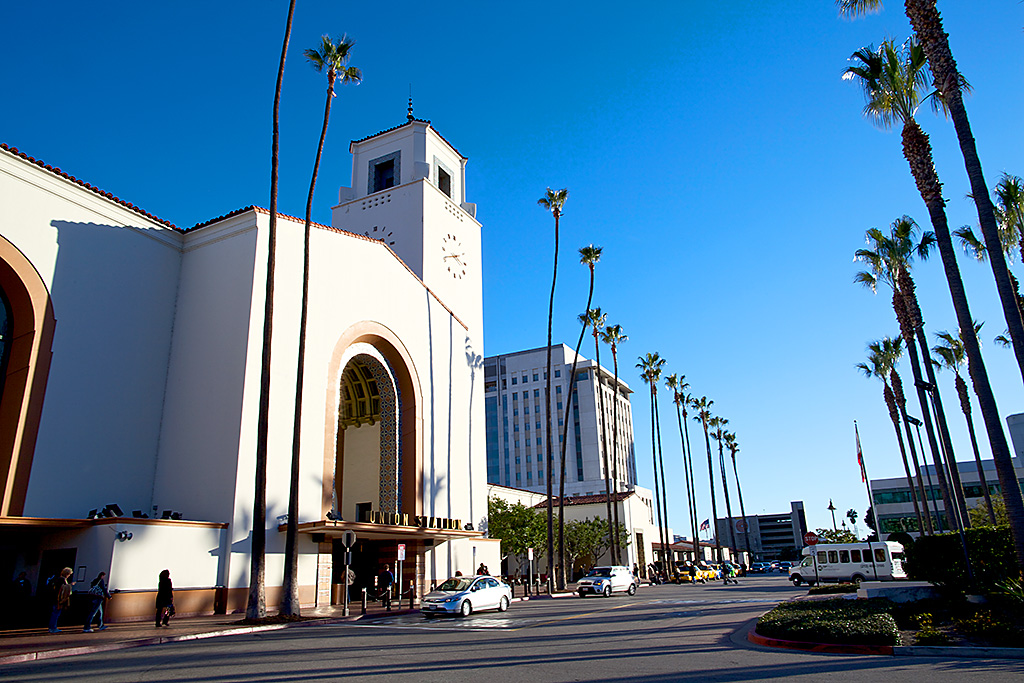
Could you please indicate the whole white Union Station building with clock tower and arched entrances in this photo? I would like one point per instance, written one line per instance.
(131, 364)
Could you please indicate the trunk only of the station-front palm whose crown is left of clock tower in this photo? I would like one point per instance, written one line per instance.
(290, 605)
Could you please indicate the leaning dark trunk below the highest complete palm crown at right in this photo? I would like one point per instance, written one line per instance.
(918, 152)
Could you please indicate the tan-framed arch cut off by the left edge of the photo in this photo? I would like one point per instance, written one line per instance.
(25, 364)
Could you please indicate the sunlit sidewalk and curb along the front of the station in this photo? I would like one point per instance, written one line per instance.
(31, 645)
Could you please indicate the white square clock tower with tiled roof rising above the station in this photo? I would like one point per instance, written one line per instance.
(409, 191)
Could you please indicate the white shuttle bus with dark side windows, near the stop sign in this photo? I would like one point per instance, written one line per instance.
(855, 563)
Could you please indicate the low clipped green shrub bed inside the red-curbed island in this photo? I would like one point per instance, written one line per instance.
(840, 621)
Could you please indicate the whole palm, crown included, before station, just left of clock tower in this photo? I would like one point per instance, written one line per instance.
(332, 57)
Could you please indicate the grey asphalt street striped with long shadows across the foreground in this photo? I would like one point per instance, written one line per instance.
(666, 633)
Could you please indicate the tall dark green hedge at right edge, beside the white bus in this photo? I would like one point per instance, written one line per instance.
(941, 559)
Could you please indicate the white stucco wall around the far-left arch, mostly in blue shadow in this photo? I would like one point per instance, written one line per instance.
(112, 275)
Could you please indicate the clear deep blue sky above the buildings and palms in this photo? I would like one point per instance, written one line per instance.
(711, 149)
